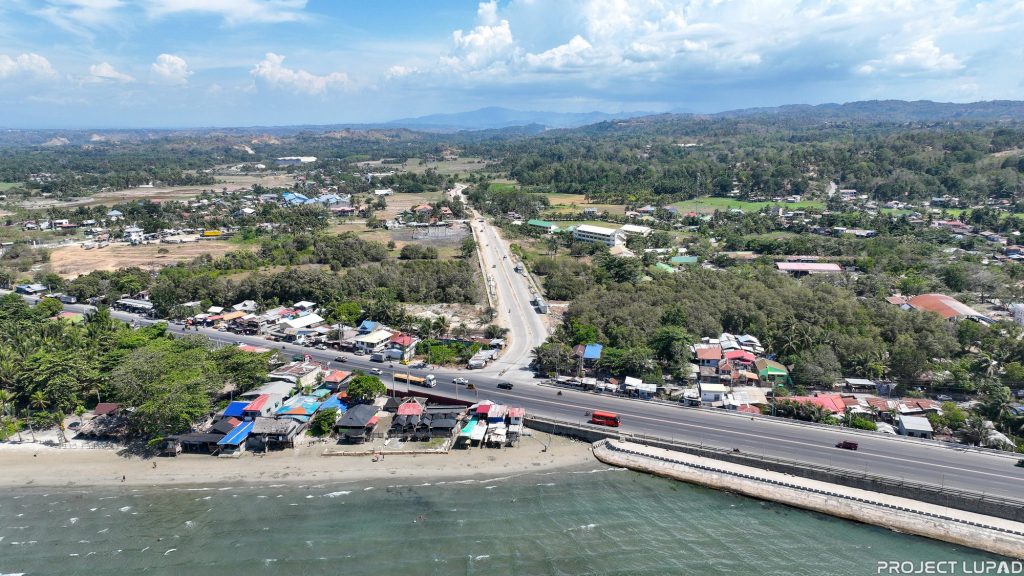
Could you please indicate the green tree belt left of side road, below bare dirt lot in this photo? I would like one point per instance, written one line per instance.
(357, 267)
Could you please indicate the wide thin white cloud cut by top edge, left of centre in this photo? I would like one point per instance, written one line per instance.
(234, 13)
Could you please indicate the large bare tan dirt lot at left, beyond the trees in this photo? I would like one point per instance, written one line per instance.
(72, 262)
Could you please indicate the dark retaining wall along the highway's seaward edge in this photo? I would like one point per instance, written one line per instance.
(1008, 509)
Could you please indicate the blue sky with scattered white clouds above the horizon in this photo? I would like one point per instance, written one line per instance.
(242, 63)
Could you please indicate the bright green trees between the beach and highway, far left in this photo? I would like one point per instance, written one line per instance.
(56, 368)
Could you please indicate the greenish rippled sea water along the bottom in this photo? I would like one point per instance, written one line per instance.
(570, 522)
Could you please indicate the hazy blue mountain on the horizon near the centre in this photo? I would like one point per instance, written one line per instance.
(496, 118)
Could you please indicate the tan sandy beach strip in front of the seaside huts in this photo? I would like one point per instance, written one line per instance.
(28, 466)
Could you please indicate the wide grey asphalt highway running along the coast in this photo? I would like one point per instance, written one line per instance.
(894, 458)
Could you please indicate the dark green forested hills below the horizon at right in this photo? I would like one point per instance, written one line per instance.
(762, 157)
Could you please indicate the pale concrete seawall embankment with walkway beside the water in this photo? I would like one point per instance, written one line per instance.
(968, 529)
